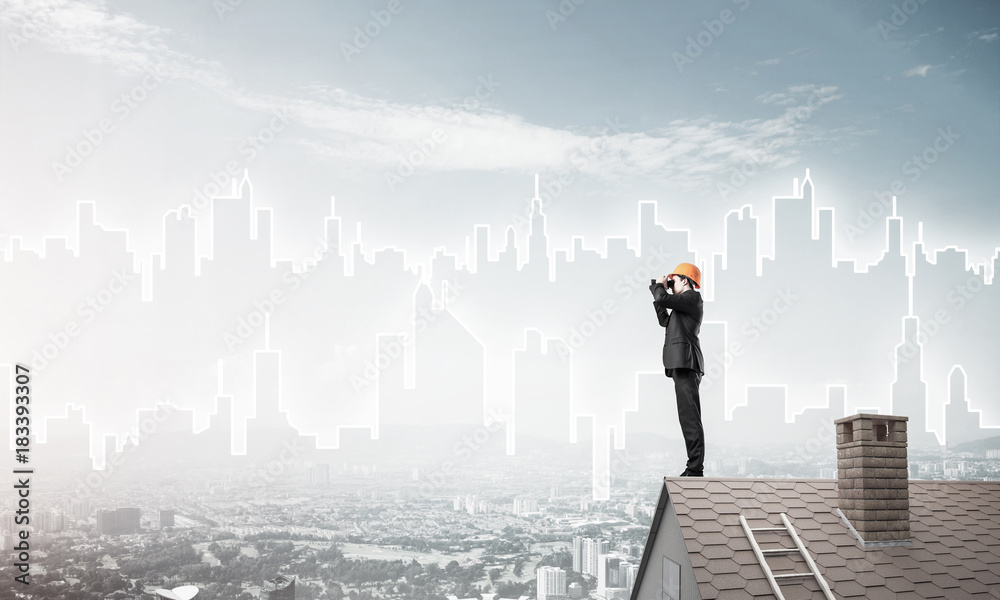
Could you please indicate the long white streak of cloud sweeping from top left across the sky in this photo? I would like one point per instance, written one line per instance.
(360, 134)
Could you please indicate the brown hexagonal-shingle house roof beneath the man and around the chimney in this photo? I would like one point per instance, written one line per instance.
(954, 550)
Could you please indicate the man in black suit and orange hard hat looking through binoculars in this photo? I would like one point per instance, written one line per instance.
(680, 312)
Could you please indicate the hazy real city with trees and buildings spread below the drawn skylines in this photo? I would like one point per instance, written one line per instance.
(369, 526)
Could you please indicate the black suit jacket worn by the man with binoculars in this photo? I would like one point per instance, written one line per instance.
(681, 314)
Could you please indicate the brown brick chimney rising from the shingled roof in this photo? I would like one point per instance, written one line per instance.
(872, 484)
